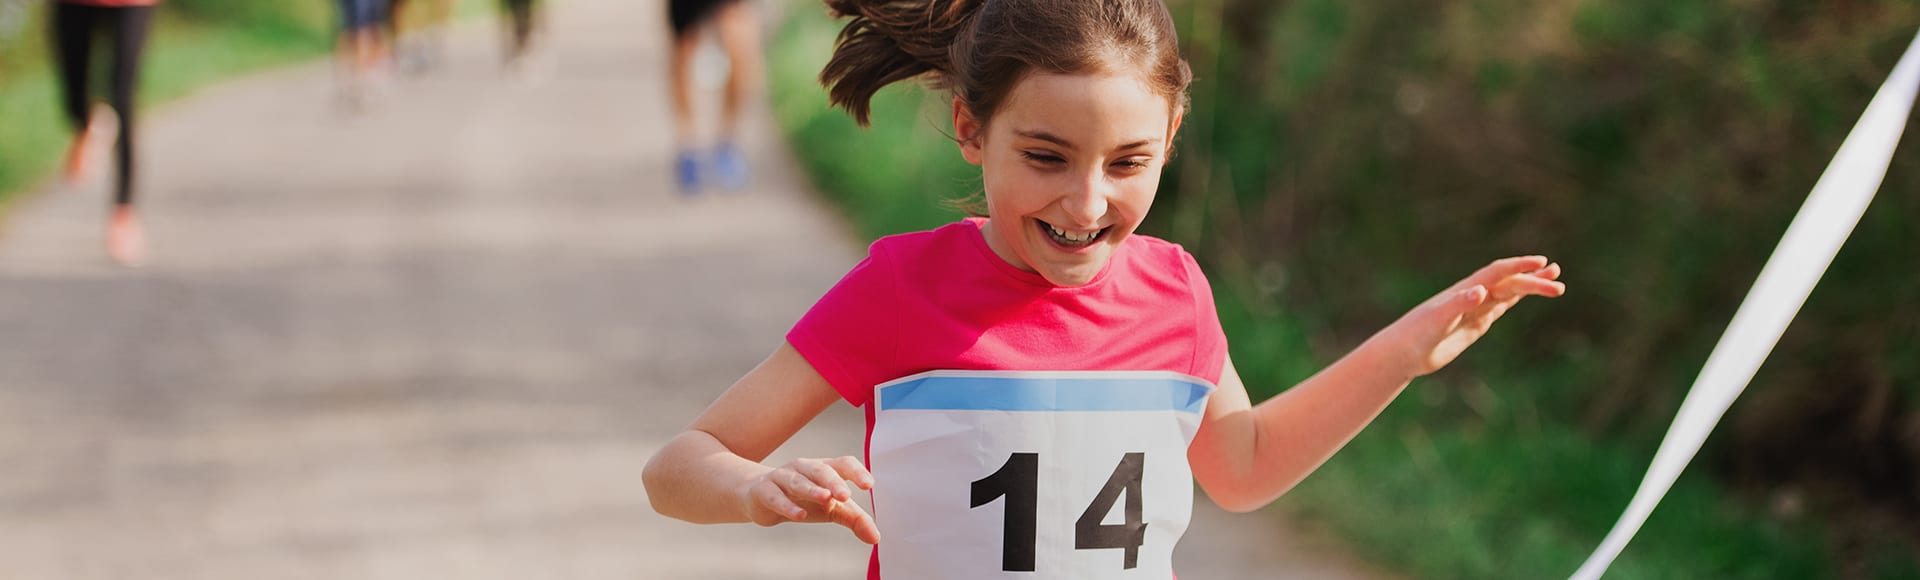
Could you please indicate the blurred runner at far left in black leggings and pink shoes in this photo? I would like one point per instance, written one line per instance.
(124, 24)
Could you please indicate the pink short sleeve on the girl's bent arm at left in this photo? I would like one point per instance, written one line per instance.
(850, 333)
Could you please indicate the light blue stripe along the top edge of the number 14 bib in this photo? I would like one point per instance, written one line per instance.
(1047, 393)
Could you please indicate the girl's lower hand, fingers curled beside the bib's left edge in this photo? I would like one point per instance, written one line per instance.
(813, 491)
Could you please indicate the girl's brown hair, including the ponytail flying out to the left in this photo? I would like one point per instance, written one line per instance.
(980, 49)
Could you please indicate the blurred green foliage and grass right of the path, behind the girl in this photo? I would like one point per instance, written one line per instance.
(1349, 158)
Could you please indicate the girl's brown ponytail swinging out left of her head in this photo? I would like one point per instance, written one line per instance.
(890, 41)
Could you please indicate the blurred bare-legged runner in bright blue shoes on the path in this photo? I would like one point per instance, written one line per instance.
(740, 37)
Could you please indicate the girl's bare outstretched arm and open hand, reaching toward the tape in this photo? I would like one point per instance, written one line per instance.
(1245, 456)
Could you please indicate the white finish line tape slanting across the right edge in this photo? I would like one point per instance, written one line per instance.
(1804, 254)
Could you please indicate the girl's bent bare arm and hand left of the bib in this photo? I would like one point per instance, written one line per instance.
(711, 473)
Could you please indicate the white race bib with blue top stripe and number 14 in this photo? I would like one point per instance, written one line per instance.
(1034, 475)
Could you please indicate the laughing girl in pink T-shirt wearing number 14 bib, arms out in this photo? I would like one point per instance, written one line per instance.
(1042, 385)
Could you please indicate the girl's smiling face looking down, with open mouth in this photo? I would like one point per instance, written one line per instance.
(1070, 168)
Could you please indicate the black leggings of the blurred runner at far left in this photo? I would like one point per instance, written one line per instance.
(74, 43)
